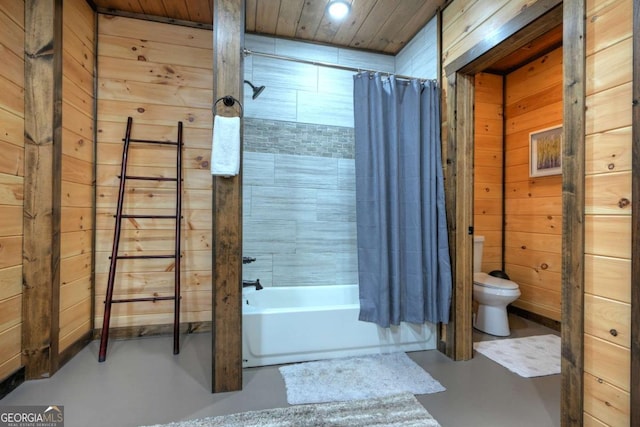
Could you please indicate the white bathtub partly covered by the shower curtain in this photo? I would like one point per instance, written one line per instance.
(301, 323)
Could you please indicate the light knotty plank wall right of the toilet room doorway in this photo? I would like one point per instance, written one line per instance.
(608, 212)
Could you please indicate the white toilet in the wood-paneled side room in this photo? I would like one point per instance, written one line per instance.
(492, 294)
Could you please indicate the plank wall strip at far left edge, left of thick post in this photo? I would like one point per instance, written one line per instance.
(11, 183)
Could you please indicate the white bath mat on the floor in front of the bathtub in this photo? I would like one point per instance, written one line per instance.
(352, 378)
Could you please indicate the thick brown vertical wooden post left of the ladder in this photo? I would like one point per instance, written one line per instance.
(43, 138)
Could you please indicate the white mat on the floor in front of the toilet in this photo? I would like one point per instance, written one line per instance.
(528, 357)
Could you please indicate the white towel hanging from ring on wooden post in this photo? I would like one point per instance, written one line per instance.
(225, 149)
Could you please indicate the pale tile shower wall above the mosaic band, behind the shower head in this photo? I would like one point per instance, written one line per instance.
(305, 93)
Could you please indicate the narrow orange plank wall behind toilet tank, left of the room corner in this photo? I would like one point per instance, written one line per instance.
(487, 167)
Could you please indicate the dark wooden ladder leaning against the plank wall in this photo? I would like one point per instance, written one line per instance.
(118, 228)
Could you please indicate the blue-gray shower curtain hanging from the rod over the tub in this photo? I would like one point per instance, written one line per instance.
(404, 269)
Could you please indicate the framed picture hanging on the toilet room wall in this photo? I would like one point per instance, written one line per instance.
(545, 152)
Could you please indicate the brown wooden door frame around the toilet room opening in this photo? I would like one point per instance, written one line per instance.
(460, 105)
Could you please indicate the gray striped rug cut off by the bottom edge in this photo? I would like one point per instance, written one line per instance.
(400, 410)
